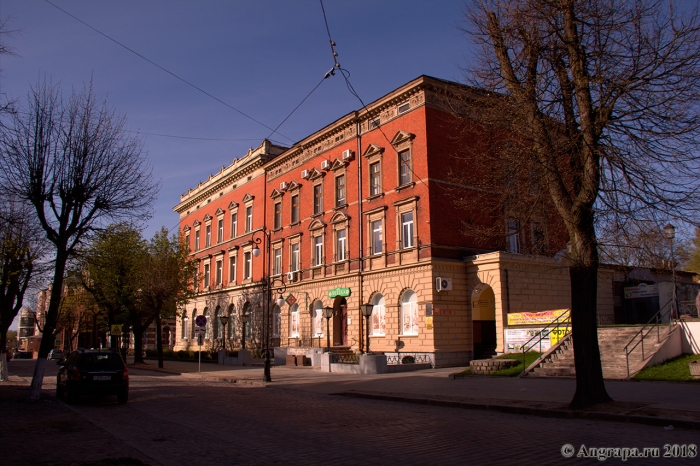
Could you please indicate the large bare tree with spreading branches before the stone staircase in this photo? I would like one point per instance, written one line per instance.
(599, 99)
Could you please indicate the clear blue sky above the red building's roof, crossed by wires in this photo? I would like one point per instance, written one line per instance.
(261, 57)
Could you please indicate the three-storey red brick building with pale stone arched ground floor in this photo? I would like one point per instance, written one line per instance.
(358, 212)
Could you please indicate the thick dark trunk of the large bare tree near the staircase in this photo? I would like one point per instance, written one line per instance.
(590, 387)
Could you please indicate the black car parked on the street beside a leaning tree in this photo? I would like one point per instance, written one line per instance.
(92, 372)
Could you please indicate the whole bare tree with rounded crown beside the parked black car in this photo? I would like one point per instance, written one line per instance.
(76, 165)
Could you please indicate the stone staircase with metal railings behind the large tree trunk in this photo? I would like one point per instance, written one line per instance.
(559, 362)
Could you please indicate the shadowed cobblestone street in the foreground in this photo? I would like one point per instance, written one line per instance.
(173, 420)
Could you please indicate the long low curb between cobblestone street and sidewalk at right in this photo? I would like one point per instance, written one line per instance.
(541, 412)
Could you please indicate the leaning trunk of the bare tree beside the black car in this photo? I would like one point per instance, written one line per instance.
(47, 339)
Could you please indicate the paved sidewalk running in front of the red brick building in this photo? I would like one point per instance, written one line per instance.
(655, 403)
